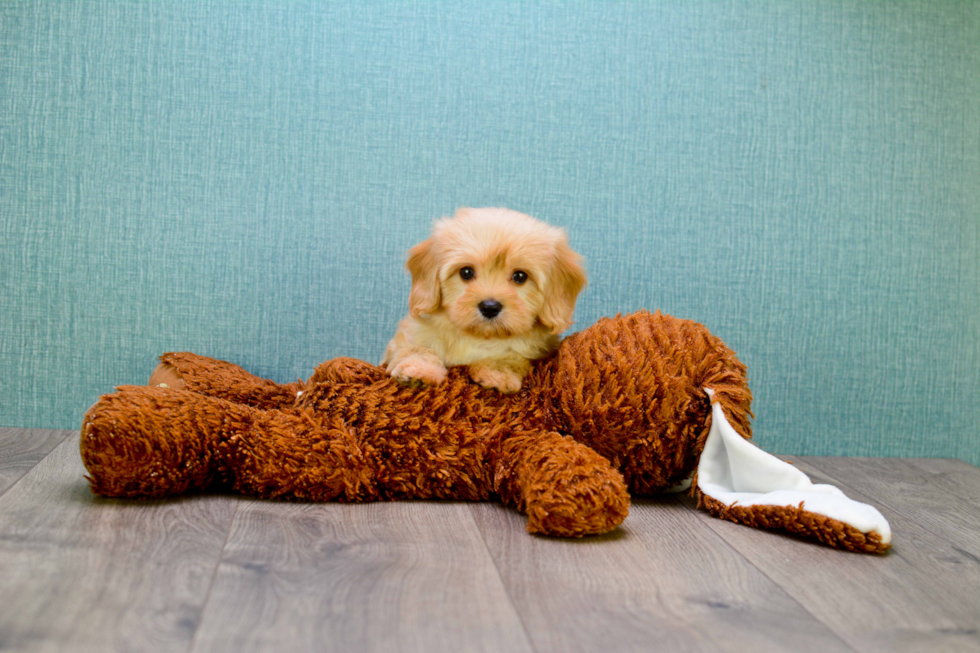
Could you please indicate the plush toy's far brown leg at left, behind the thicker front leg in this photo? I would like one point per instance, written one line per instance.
(222, 380)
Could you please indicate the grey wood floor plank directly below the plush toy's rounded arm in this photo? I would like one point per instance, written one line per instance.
(663, 581)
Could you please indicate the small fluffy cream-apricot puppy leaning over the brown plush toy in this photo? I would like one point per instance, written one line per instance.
(491, 289)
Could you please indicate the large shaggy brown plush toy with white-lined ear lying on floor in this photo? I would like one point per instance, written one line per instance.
(633, 404)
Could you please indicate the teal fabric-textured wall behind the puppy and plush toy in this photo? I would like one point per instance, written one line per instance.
(242, 180)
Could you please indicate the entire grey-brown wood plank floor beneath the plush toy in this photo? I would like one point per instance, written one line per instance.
(226, 573)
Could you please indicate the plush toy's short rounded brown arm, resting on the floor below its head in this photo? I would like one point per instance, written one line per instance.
(565, 488)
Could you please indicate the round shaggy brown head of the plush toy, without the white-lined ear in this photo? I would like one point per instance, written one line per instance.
(651, 422)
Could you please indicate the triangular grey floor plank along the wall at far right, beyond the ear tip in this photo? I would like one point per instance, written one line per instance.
(945, 500)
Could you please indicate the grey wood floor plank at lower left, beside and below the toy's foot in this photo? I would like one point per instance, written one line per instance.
(81, 573)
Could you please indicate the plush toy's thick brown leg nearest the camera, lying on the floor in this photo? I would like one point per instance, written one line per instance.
(154, 442)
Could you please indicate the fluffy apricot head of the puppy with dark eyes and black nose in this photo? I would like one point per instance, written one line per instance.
(496, 273)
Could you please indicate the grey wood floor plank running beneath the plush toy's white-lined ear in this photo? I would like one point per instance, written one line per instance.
(922, 595)
